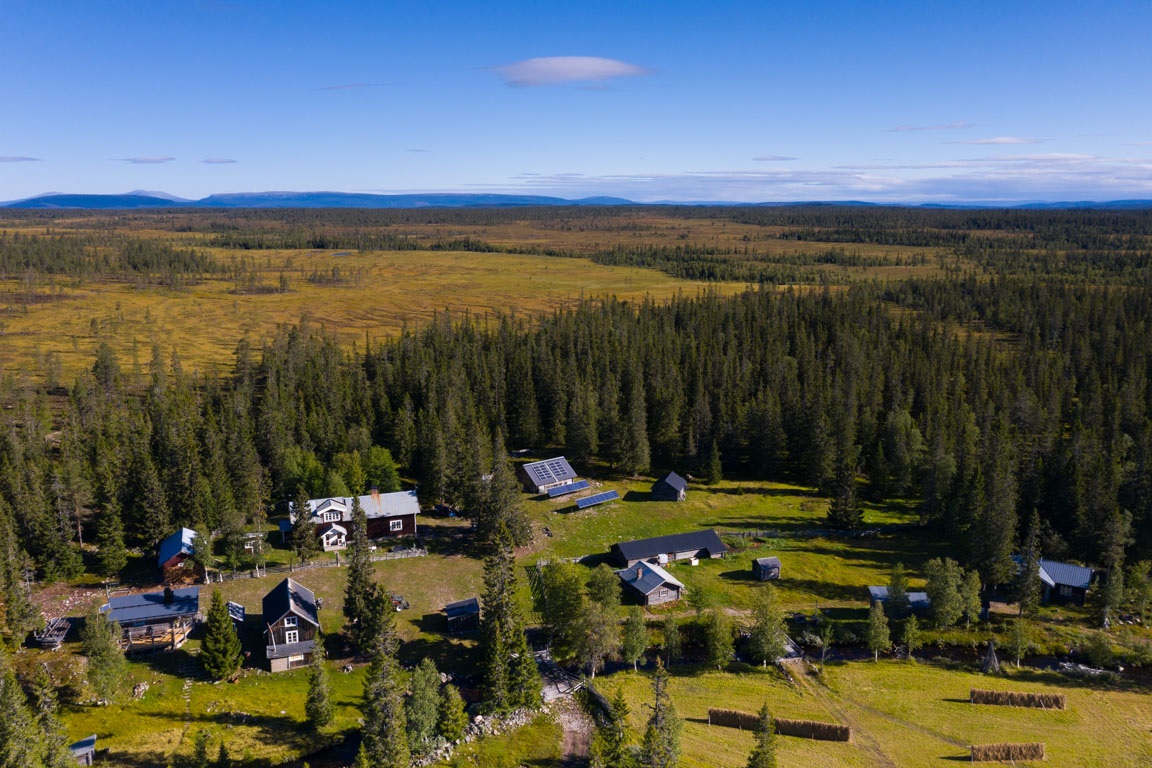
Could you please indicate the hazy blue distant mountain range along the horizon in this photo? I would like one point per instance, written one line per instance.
(149, 200)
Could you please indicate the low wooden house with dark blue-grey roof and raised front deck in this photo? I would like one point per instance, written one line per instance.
(155, 621)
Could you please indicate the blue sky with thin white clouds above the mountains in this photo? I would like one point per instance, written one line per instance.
(885, 101)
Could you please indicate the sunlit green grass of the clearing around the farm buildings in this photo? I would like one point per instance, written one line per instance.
(905, 714)
